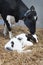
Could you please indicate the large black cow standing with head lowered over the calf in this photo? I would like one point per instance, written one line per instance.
(19, 10)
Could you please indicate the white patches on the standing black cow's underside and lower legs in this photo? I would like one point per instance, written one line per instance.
(11, 21)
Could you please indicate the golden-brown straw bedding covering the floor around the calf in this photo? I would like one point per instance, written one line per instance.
(13, 58)
